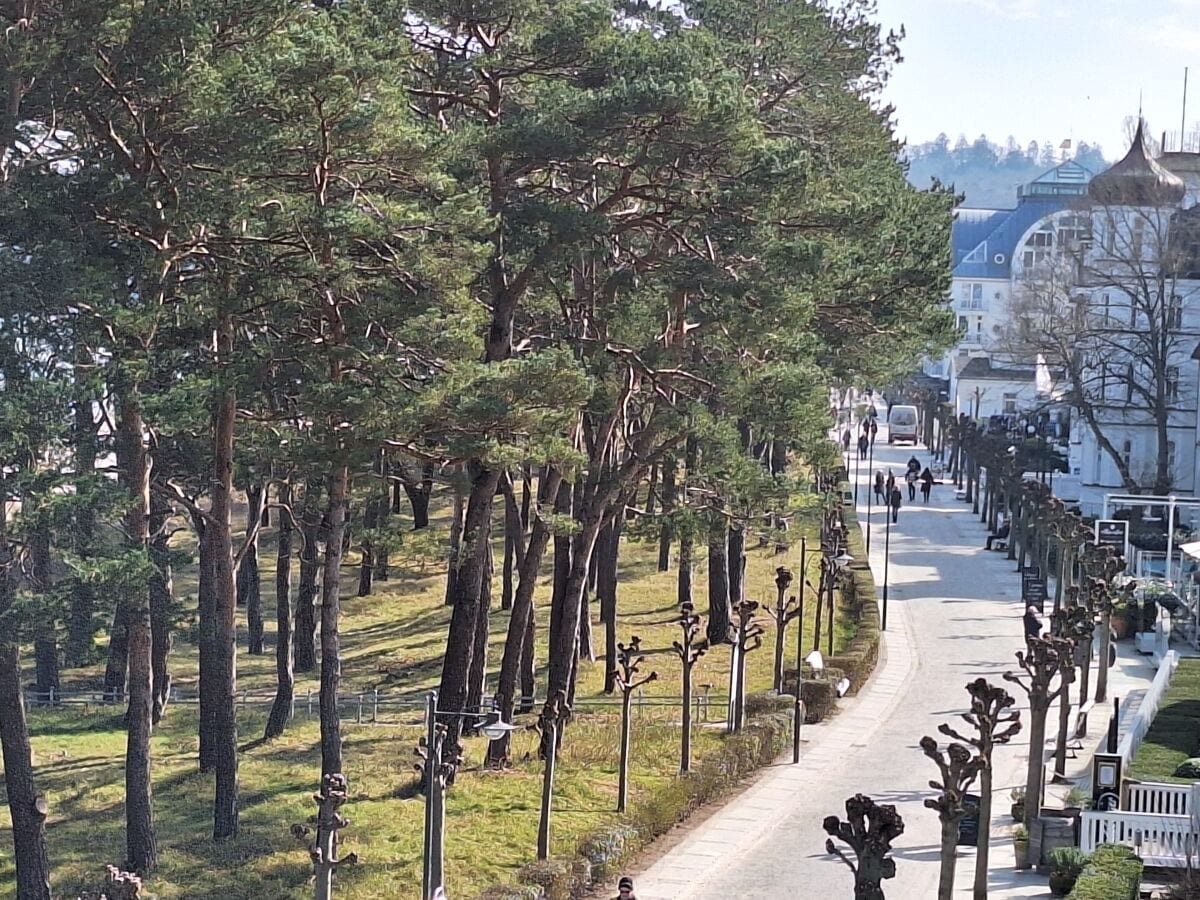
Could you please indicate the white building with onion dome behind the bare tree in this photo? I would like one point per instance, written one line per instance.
(1139, 281)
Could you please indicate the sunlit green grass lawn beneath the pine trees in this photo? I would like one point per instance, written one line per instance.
(393, 641)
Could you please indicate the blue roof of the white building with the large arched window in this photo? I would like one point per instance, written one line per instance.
(980, 236)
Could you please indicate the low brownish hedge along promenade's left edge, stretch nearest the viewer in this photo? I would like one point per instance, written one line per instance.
(604, 851)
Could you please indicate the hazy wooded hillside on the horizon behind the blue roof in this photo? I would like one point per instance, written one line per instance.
(987, 173)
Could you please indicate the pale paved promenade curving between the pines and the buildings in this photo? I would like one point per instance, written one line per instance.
(955, 615)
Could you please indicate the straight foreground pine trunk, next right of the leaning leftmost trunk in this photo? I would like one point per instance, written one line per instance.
(141, 849)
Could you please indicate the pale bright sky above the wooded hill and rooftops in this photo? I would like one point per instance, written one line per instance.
(1045, 70)
